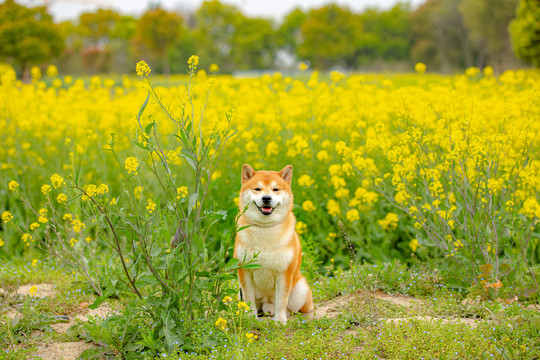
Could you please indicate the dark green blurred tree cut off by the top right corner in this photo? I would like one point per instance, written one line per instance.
(525, 32)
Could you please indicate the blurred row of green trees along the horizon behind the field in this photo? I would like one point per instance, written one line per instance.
(447, 35)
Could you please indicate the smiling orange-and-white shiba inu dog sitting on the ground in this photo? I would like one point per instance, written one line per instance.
(277, 285)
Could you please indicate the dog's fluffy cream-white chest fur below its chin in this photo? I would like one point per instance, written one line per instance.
(273, 254)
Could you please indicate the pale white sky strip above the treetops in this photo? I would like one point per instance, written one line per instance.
(70, 9)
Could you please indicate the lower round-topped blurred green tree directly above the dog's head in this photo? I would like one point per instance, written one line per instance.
(254, 43)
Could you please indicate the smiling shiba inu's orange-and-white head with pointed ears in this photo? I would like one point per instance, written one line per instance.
(267, 194)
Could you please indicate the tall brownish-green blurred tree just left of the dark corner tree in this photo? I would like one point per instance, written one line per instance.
(487, 22)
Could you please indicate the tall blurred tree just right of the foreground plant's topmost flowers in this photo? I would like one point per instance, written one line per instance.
(216, 25)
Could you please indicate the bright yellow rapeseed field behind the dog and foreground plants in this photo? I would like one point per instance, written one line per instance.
(347, 137)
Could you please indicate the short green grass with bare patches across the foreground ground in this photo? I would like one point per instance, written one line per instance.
(430, 321)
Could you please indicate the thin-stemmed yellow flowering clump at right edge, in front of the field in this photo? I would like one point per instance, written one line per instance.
(474, 206)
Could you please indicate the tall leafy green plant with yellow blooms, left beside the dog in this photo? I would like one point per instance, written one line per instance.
(170, 284)
